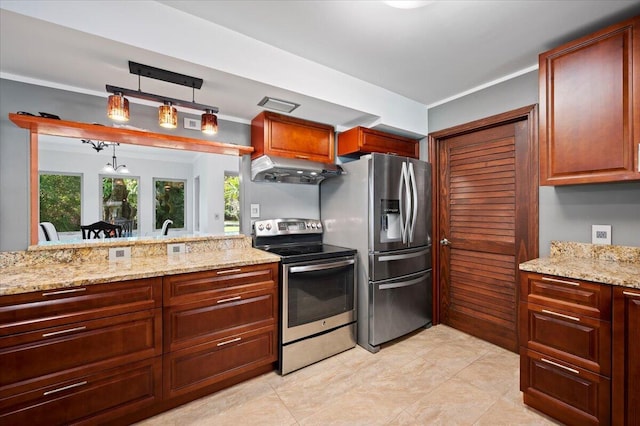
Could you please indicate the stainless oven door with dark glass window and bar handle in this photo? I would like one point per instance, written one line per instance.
(317, 296)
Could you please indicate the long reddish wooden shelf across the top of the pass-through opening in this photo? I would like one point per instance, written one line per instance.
(72, 129)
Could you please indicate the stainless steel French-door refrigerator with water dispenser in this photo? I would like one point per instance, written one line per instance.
(382, 207)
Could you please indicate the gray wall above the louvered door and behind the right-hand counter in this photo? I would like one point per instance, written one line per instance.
(567, 212)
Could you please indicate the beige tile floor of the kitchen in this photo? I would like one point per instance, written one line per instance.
(438, 376)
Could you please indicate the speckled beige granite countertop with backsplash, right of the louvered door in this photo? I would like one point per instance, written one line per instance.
(615, 265)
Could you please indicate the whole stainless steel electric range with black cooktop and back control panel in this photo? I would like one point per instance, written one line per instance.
(317, 291)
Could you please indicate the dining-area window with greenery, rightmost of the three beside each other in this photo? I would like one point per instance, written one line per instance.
(170, 202)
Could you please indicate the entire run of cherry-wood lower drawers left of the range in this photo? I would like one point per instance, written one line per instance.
(116, 353)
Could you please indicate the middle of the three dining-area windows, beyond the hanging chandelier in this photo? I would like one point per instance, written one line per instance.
(120, 202)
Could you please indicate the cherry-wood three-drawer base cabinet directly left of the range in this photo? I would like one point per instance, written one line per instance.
(217, 325)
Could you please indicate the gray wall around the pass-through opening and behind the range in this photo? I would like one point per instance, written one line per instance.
(275, 200)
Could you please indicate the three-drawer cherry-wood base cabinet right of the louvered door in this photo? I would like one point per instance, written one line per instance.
(565, 348)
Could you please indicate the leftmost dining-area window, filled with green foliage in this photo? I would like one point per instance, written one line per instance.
(60, 201)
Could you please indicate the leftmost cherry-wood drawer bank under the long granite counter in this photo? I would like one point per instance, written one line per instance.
(81, 355)
